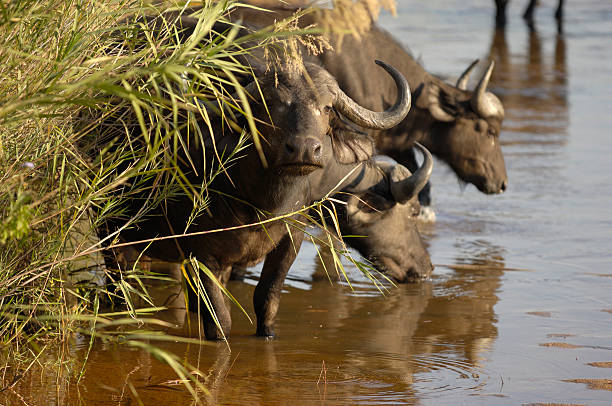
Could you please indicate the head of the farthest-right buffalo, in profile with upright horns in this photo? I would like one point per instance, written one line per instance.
(467, 127)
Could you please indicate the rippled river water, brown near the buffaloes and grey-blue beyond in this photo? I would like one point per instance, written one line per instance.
(519, 308)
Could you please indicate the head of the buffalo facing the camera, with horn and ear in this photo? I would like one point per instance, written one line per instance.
(301, 108)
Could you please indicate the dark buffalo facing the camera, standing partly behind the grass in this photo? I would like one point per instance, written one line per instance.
(306, 162)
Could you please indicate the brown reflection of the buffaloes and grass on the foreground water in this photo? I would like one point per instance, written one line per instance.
(417, 341)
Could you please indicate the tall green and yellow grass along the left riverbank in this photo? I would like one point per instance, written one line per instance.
(63, 62)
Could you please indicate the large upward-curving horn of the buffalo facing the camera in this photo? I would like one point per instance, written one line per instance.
(377, 120)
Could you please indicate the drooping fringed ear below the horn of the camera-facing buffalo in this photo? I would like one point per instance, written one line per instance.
(351, 146)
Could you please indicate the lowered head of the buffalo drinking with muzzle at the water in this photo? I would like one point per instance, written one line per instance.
(391, 240)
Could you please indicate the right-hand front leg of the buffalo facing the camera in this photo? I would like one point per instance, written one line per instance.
(267, 293)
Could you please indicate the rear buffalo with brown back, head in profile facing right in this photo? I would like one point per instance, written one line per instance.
(459, 126)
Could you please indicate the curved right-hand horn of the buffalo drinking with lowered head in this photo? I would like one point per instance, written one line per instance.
(405, 186)
